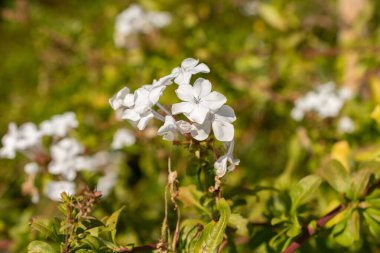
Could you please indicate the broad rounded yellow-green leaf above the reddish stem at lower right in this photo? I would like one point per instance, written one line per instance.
(337, 176)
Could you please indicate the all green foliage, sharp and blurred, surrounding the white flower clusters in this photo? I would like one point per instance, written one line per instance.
(59, 56)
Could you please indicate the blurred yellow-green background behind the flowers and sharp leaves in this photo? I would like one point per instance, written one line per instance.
(59, 56)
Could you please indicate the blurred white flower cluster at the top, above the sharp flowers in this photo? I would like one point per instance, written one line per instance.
(135, 20)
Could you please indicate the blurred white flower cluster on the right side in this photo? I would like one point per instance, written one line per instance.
(326, 101)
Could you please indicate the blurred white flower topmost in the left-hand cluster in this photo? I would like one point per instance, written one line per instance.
(59, 125)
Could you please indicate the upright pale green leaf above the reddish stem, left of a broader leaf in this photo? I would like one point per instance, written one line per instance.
(304, 188)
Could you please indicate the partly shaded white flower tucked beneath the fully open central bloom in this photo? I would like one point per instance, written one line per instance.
(220, 123)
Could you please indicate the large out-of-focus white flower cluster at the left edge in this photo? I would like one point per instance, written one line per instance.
(64, 158)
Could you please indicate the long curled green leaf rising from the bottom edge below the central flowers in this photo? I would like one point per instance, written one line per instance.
(213, 233)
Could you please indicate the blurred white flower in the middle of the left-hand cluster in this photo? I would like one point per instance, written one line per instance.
(66, 158)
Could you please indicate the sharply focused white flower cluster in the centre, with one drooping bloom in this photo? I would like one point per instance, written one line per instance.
(205, 109)
